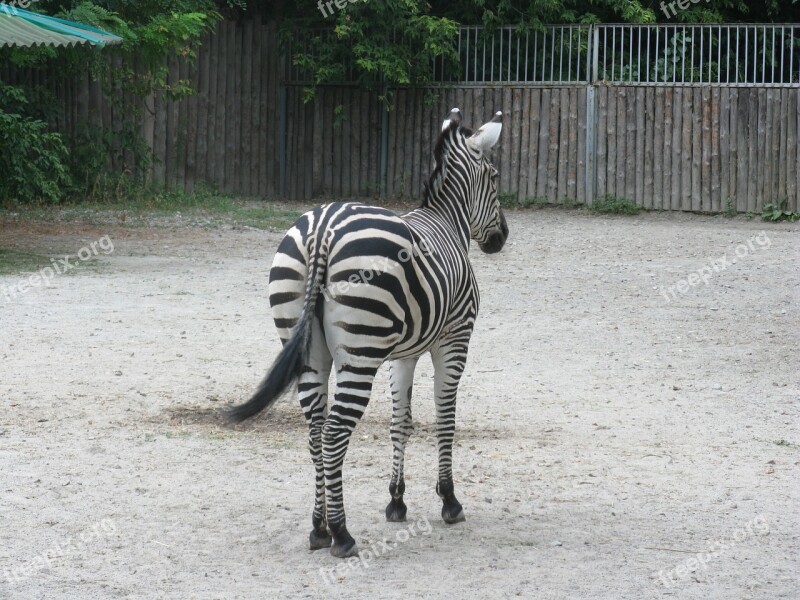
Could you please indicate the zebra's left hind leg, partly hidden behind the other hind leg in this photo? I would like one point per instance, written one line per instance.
(312, 389)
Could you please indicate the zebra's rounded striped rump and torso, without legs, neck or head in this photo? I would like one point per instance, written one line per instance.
(381, 279)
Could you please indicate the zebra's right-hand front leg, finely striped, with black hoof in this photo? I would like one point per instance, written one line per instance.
(449, 360)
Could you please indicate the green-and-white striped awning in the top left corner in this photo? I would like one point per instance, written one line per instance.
(23, 28)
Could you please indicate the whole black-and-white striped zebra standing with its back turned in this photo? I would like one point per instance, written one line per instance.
(353, 286)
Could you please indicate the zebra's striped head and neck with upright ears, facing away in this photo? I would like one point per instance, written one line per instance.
(464, 179)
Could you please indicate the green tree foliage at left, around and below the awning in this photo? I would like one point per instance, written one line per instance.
(78, 164)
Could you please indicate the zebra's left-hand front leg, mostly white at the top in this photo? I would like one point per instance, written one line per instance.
(401, 375)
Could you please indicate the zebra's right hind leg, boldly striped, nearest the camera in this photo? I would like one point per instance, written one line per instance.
(353, 388)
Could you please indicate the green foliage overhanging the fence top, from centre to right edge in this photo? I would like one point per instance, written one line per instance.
(394, 42)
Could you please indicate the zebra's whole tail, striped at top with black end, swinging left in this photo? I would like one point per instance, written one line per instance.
(295, 351)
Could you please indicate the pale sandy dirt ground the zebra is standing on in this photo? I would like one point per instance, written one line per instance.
(615, 439)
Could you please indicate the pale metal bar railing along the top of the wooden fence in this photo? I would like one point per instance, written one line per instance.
(614, 54)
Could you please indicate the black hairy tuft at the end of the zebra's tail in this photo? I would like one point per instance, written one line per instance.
(283, 372)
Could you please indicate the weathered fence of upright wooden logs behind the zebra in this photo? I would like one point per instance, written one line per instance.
(699, 147)
